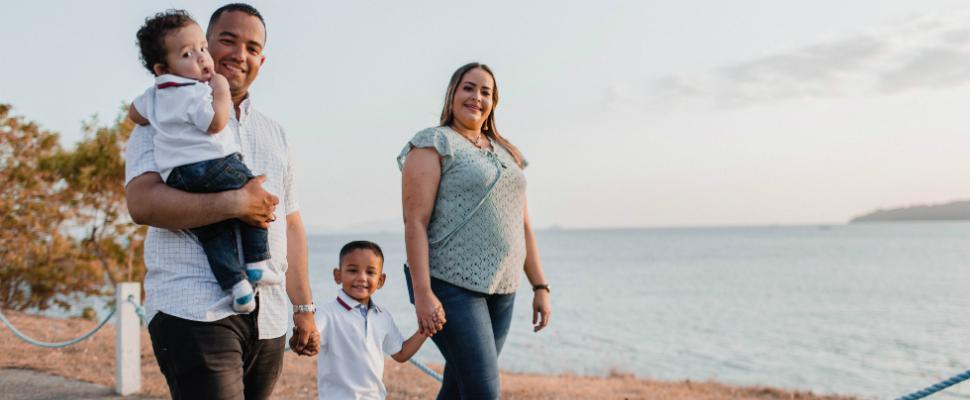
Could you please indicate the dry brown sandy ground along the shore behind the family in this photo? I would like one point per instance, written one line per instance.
(93, 361)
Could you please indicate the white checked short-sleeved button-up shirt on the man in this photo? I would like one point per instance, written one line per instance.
(179, 281)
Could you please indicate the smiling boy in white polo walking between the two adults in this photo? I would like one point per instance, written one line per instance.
(355, 333)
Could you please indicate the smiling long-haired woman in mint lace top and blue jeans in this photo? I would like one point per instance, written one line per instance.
(468, 235)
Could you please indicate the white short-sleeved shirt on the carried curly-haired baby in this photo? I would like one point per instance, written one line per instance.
(180, 110)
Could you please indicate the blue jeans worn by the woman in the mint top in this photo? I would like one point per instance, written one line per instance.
(471, 340)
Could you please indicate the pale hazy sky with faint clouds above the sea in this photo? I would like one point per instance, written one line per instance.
(631, 113)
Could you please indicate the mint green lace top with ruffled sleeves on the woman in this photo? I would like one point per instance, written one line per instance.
(487, 253)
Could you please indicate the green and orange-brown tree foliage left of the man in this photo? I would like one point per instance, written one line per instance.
(65, 230)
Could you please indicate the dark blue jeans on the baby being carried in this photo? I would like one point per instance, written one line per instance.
(219, 239)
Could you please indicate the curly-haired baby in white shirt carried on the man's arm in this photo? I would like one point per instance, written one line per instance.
(188, 107)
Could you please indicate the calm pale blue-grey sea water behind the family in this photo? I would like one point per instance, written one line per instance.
(875, 310)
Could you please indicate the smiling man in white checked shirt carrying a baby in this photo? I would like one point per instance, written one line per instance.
(204, 348)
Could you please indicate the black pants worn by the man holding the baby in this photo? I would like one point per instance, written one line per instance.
(223, 359)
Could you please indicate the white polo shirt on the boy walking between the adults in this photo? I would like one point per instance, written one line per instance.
(350, 364)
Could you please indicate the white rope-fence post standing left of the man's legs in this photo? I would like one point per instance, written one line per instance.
(127, 339)
